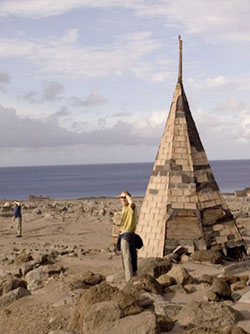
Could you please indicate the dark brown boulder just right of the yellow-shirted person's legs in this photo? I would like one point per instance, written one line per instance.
(154, 266)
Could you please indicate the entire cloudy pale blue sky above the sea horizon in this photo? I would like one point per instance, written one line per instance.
(85, 81)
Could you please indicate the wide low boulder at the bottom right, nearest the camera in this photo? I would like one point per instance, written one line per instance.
(207, 314)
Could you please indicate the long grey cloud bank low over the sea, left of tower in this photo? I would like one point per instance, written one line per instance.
(48, 132)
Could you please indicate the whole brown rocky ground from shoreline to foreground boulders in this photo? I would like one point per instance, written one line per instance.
(63, 277)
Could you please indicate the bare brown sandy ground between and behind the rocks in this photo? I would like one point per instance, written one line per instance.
(82, 228)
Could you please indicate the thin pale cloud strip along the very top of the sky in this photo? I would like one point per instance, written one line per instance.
(226, 18)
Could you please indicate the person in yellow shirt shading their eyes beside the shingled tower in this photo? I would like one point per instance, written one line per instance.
(126, 240)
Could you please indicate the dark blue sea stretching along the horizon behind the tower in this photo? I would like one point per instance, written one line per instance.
(77, 181)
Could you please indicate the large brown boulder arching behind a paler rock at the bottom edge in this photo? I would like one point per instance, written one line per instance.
(100, 293)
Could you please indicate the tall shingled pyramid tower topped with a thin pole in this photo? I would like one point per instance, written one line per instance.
(183, 204)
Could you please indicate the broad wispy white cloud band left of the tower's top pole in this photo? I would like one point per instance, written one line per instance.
(68, 60)
